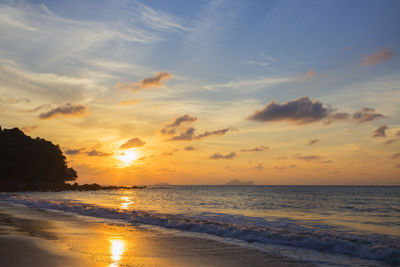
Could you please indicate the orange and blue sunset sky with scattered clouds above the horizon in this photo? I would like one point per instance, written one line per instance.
(202, 92)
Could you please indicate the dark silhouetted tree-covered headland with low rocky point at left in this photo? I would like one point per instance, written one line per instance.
(28, 164)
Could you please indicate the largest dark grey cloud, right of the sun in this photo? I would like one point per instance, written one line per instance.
(299, 111)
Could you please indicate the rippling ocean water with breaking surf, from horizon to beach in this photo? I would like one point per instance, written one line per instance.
(325, 225)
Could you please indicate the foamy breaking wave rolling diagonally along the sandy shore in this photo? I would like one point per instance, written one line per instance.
(251, 229)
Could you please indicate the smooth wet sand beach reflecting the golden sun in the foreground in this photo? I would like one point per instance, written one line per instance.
(31, 237)
